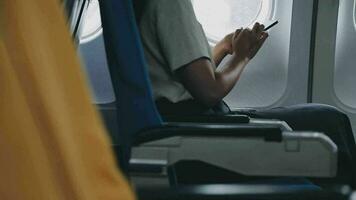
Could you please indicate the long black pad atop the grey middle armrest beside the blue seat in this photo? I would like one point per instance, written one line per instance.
(267, 132)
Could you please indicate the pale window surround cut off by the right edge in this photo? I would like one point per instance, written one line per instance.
(344, 84)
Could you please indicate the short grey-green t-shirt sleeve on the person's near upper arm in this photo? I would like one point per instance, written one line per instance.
(180, 35)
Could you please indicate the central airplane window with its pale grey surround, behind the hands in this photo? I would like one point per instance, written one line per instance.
(265, 82)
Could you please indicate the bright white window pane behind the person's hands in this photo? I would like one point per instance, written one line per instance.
(230, 15)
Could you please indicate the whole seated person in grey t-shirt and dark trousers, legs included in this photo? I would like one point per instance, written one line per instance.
(186, 81)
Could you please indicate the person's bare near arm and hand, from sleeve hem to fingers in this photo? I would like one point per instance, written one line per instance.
(209, 86)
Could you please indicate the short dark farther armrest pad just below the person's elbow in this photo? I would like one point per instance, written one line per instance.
(230, 118)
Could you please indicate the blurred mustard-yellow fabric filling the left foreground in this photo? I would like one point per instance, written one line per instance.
(52, 143)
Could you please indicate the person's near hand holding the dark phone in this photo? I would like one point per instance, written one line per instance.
(247, 43)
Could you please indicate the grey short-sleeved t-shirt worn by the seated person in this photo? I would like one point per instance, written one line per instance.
(172, 38)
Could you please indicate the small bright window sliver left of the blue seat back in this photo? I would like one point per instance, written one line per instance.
(92, 23)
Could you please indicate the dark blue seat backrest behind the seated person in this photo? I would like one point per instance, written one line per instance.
(134, 101)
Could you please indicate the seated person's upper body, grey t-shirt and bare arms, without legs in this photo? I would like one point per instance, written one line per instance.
(181, 62)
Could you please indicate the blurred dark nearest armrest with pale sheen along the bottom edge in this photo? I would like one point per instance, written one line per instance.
(242, 191)
